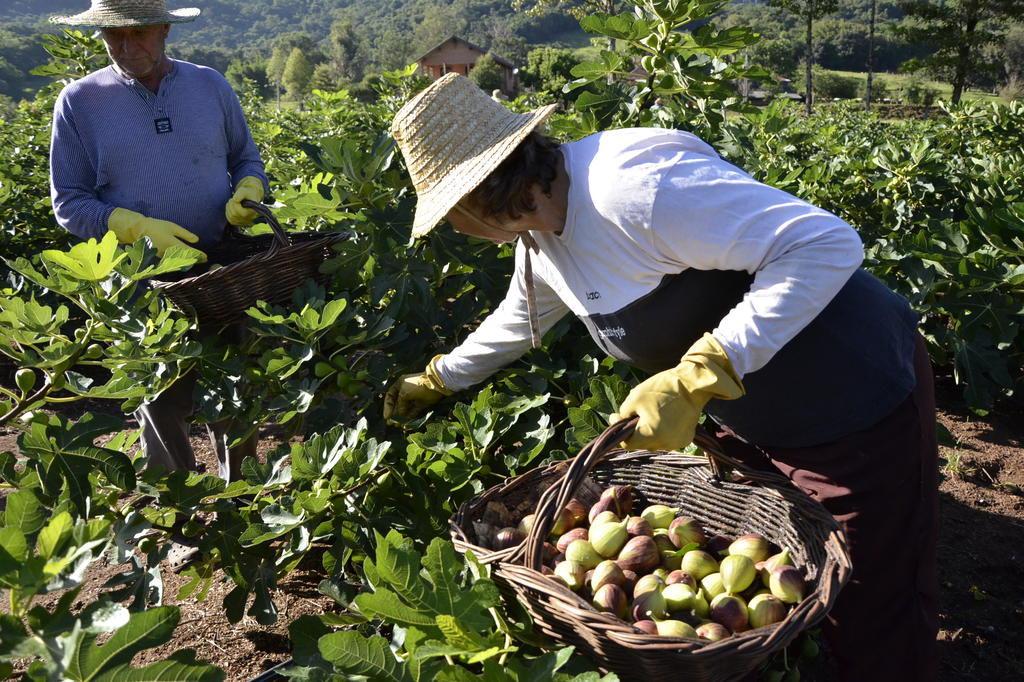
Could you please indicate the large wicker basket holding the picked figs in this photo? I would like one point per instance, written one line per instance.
(763, 503)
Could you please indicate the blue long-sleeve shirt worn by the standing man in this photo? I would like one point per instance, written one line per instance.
(177, 155)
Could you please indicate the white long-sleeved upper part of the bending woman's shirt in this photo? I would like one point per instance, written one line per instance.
(649, 203)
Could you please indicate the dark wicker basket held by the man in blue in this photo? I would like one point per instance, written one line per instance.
(255, 269)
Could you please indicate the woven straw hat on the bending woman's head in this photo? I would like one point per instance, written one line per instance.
(453, 136)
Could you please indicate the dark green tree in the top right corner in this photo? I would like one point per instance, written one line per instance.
(960, 32)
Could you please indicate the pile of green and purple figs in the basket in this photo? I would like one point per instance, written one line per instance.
(662, 573)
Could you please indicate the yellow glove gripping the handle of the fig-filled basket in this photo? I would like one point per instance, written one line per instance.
(670, 403)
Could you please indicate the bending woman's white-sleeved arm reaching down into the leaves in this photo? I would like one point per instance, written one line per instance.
(504, 335)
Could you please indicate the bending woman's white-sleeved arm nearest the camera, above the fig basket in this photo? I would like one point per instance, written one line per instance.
(711, 216)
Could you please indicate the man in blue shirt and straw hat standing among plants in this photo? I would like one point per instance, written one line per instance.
(159, 149)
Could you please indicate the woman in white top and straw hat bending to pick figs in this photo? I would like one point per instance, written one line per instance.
(740, 301)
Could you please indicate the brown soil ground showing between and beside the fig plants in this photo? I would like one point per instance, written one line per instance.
(982, 564)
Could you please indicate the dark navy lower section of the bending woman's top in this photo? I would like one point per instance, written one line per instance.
(849, 368)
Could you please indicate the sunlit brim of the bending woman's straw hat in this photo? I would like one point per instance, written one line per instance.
(433, 206)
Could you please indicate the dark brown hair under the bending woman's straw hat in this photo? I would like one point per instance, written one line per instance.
(507, 190)
